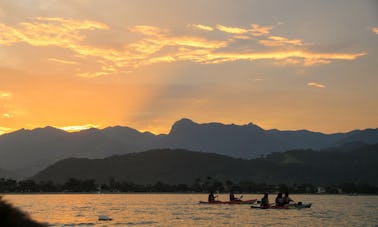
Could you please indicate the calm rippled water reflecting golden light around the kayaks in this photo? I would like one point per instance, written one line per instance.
(184, 210)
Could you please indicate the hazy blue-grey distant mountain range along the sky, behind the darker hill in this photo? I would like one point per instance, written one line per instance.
(26, 152)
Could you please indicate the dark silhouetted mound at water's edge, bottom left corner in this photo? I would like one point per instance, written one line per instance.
(10, 216)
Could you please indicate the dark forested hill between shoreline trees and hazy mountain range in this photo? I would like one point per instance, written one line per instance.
(328, 167)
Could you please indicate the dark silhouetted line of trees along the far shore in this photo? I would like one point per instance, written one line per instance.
(73, 185)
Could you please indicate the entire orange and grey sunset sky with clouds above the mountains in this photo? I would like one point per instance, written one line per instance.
(287, 64)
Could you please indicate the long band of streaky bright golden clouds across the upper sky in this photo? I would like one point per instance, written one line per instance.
(155, 45)
